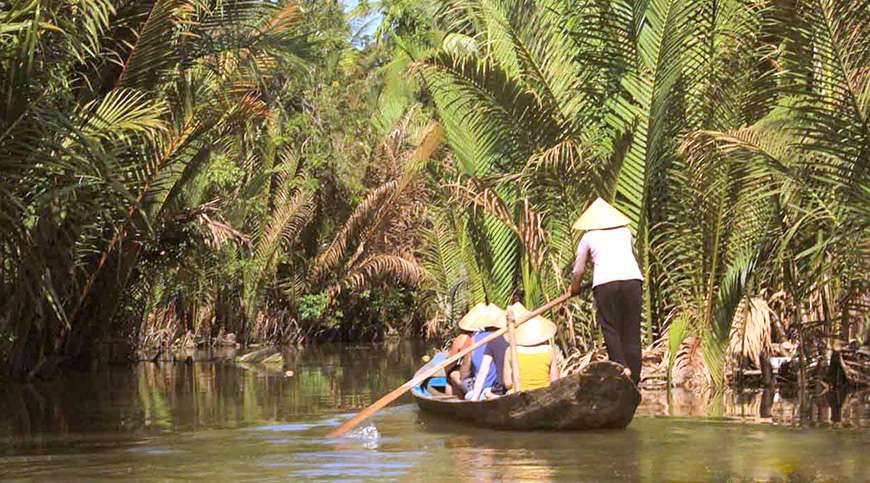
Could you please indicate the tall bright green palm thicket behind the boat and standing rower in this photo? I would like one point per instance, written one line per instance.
(733, 133)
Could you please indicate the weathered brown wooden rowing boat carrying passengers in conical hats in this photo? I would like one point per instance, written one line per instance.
(599, 397)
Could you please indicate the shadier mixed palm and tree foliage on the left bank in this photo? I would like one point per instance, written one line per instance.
(171, 166)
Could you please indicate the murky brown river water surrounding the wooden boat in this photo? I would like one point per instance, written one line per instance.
(214, 420)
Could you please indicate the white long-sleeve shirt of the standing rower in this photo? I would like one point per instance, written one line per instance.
(611, 254)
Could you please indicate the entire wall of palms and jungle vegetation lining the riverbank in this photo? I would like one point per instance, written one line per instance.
(255, 168)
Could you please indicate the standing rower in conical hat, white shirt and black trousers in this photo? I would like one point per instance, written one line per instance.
(616, 281)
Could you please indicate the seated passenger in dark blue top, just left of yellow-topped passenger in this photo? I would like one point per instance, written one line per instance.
(487, 361)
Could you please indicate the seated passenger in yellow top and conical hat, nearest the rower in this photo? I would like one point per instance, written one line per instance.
(536, 358)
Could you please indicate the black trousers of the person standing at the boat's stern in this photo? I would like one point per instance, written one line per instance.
(618, 305)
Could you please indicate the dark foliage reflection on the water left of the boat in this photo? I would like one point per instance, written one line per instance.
(187, 396)
